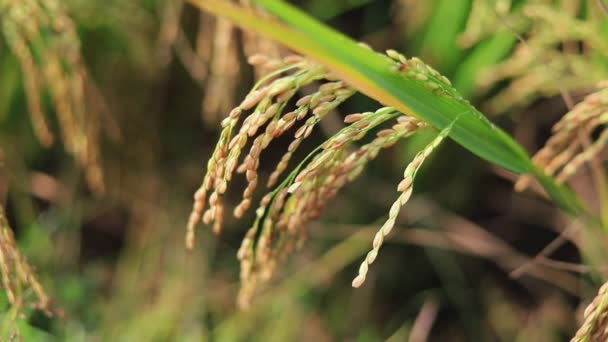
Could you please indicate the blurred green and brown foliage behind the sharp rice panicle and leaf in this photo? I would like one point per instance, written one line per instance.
(158, 76)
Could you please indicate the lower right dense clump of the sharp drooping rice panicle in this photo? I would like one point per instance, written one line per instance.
(282, 219)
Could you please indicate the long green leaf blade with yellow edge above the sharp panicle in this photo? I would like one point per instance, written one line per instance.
(373, 75)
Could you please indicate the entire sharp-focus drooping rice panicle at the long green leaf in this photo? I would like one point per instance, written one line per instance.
(281, 219)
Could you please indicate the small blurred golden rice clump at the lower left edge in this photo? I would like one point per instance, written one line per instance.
(17, 275)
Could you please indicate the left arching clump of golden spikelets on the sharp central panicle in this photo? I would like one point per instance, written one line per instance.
(267, 100)
